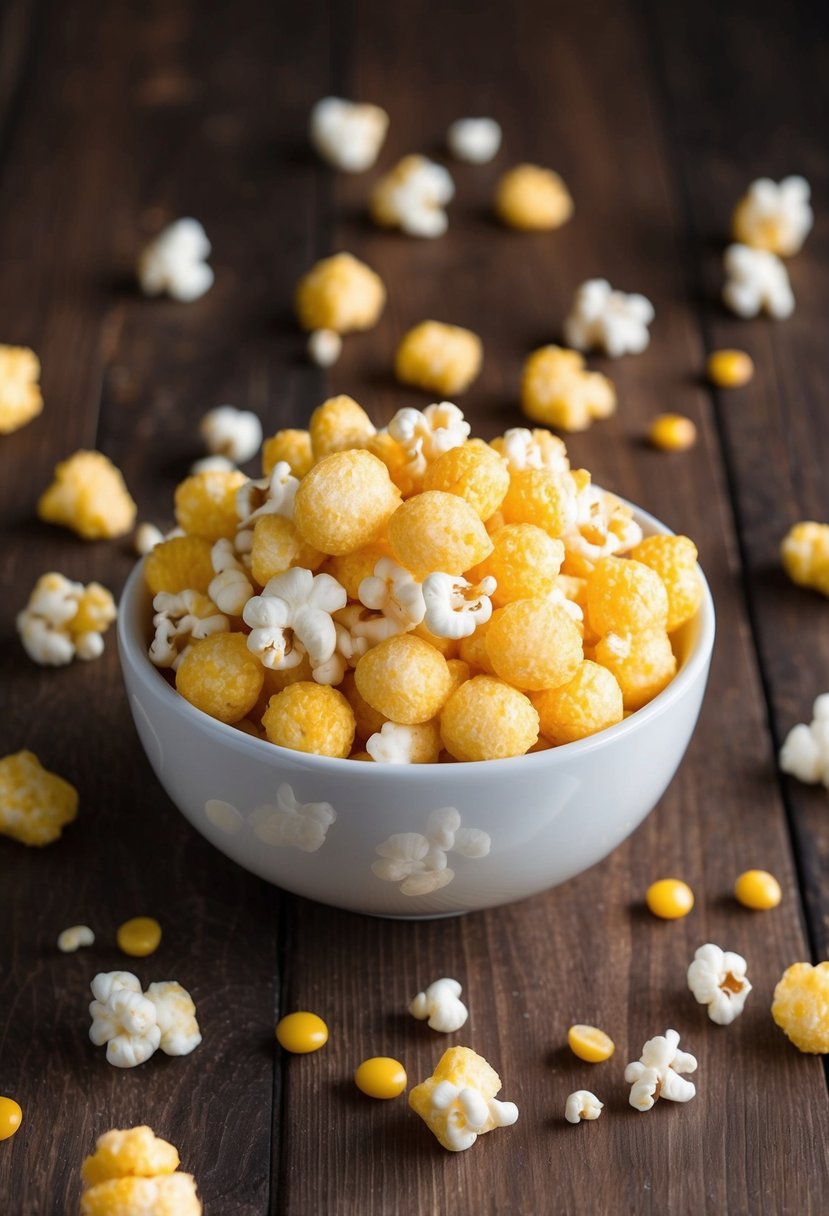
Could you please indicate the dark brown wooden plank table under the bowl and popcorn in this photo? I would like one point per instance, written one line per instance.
(117, 119)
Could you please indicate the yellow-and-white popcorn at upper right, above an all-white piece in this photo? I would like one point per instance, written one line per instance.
(775, 216)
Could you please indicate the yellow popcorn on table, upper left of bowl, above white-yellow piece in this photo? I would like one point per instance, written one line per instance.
(89, 497)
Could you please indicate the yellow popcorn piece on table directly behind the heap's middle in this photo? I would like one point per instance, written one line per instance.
(444, 359)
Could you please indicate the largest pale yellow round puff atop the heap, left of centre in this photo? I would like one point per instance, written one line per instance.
(345, 503)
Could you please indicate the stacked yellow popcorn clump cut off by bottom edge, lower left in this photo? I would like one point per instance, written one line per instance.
(134, 1173)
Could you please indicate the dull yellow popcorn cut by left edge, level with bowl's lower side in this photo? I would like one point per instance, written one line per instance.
(36, 806)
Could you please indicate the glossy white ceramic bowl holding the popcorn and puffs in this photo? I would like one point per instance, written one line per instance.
(418, 841)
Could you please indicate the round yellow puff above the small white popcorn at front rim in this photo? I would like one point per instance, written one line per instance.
(404, 679)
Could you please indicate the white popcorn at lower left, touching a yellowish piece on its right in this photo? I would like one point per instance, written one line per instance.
(123, 1020)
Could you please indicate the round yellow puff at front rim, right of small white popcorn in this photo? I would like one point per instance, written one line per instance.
(487, 719)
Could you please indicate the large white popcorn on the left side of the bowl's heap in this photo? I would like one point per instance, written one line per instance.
(294, 617)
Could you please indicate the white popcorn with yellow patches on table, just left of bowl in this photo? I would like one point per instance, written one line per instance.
(64, 621)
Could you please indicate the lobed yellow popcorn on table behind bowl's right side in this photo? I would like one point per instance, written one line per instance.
(559, 391)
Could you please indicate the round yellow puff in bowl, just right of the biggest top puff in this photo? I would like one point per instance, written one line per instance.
(436, 531)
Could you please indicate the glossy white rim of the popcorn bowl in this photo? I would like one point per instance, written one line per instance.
(133, 652)
